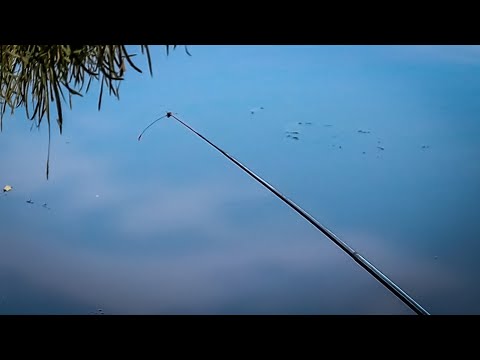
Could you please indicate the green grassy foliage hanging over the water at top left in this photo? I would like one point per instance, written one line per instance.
(33, 76)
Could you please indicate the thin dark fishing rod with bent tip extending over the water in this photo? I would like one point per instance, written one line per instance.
(357, 257)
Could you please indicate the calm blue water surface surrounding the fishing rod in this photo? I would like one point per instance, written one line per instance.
(386, 157)
